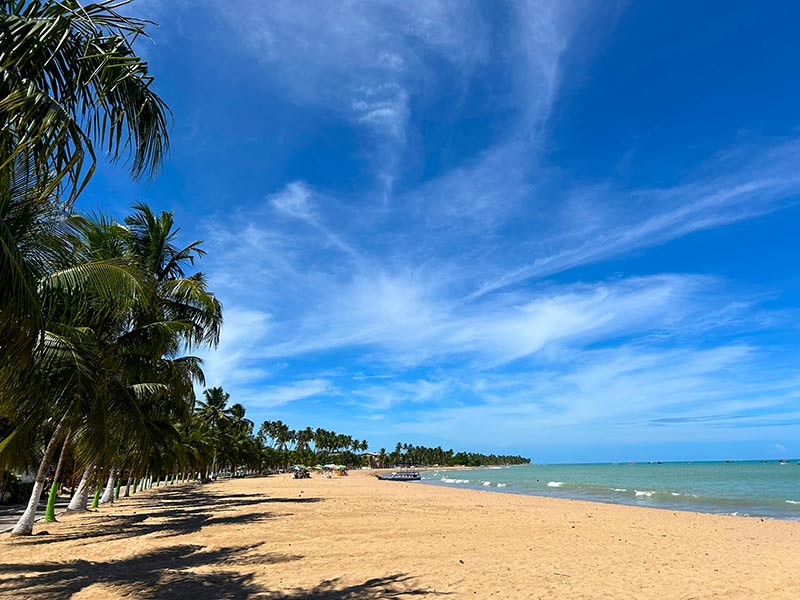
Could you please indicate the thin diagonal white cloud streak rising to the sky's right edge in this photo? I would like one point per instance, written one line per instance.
(620, 221)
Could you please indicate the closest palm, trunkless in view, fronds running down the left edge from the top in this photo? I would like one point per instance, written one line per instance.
(69, 81)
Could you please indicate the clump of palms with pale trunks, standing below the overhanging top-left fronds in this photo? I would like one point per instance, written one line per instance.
(110, 382)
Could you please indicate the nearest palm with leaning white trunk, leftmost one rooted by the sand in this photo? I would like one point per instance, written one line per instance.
(59, 385)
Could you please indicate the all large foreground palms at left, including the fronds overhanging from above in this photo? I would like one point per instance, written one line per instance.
(97, 317)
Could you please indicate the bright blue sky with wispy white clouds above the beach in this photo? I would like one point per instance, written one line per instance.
(561, 229)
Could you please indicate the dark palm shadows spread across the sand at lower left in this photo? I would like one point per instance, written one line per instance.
(185, 570)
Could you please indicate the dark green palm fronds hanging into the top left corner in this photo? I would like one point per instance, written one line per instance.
(69, 77)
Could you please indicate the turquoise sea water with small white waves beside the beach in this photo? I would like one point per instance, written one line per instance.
(752, 488)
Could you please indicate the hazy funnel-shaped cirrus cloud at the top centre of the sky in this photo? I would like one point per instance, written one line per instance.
(363, 61)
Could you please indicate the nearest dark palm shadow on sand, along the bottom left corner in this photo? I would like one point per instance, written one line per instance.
(168, 573)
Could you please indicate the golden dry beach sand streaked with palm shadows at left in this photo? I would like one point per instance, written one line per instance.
(360, 538)
